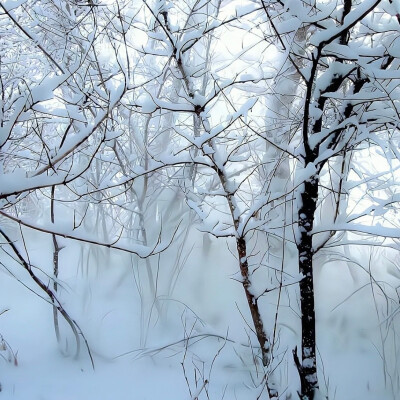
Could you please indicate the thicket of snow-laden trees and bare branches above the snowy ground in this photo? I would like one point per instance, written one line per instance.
(273, 125)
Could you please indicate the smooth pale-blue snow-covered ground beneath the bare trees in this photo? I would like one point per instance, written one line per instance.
(130, 364)
